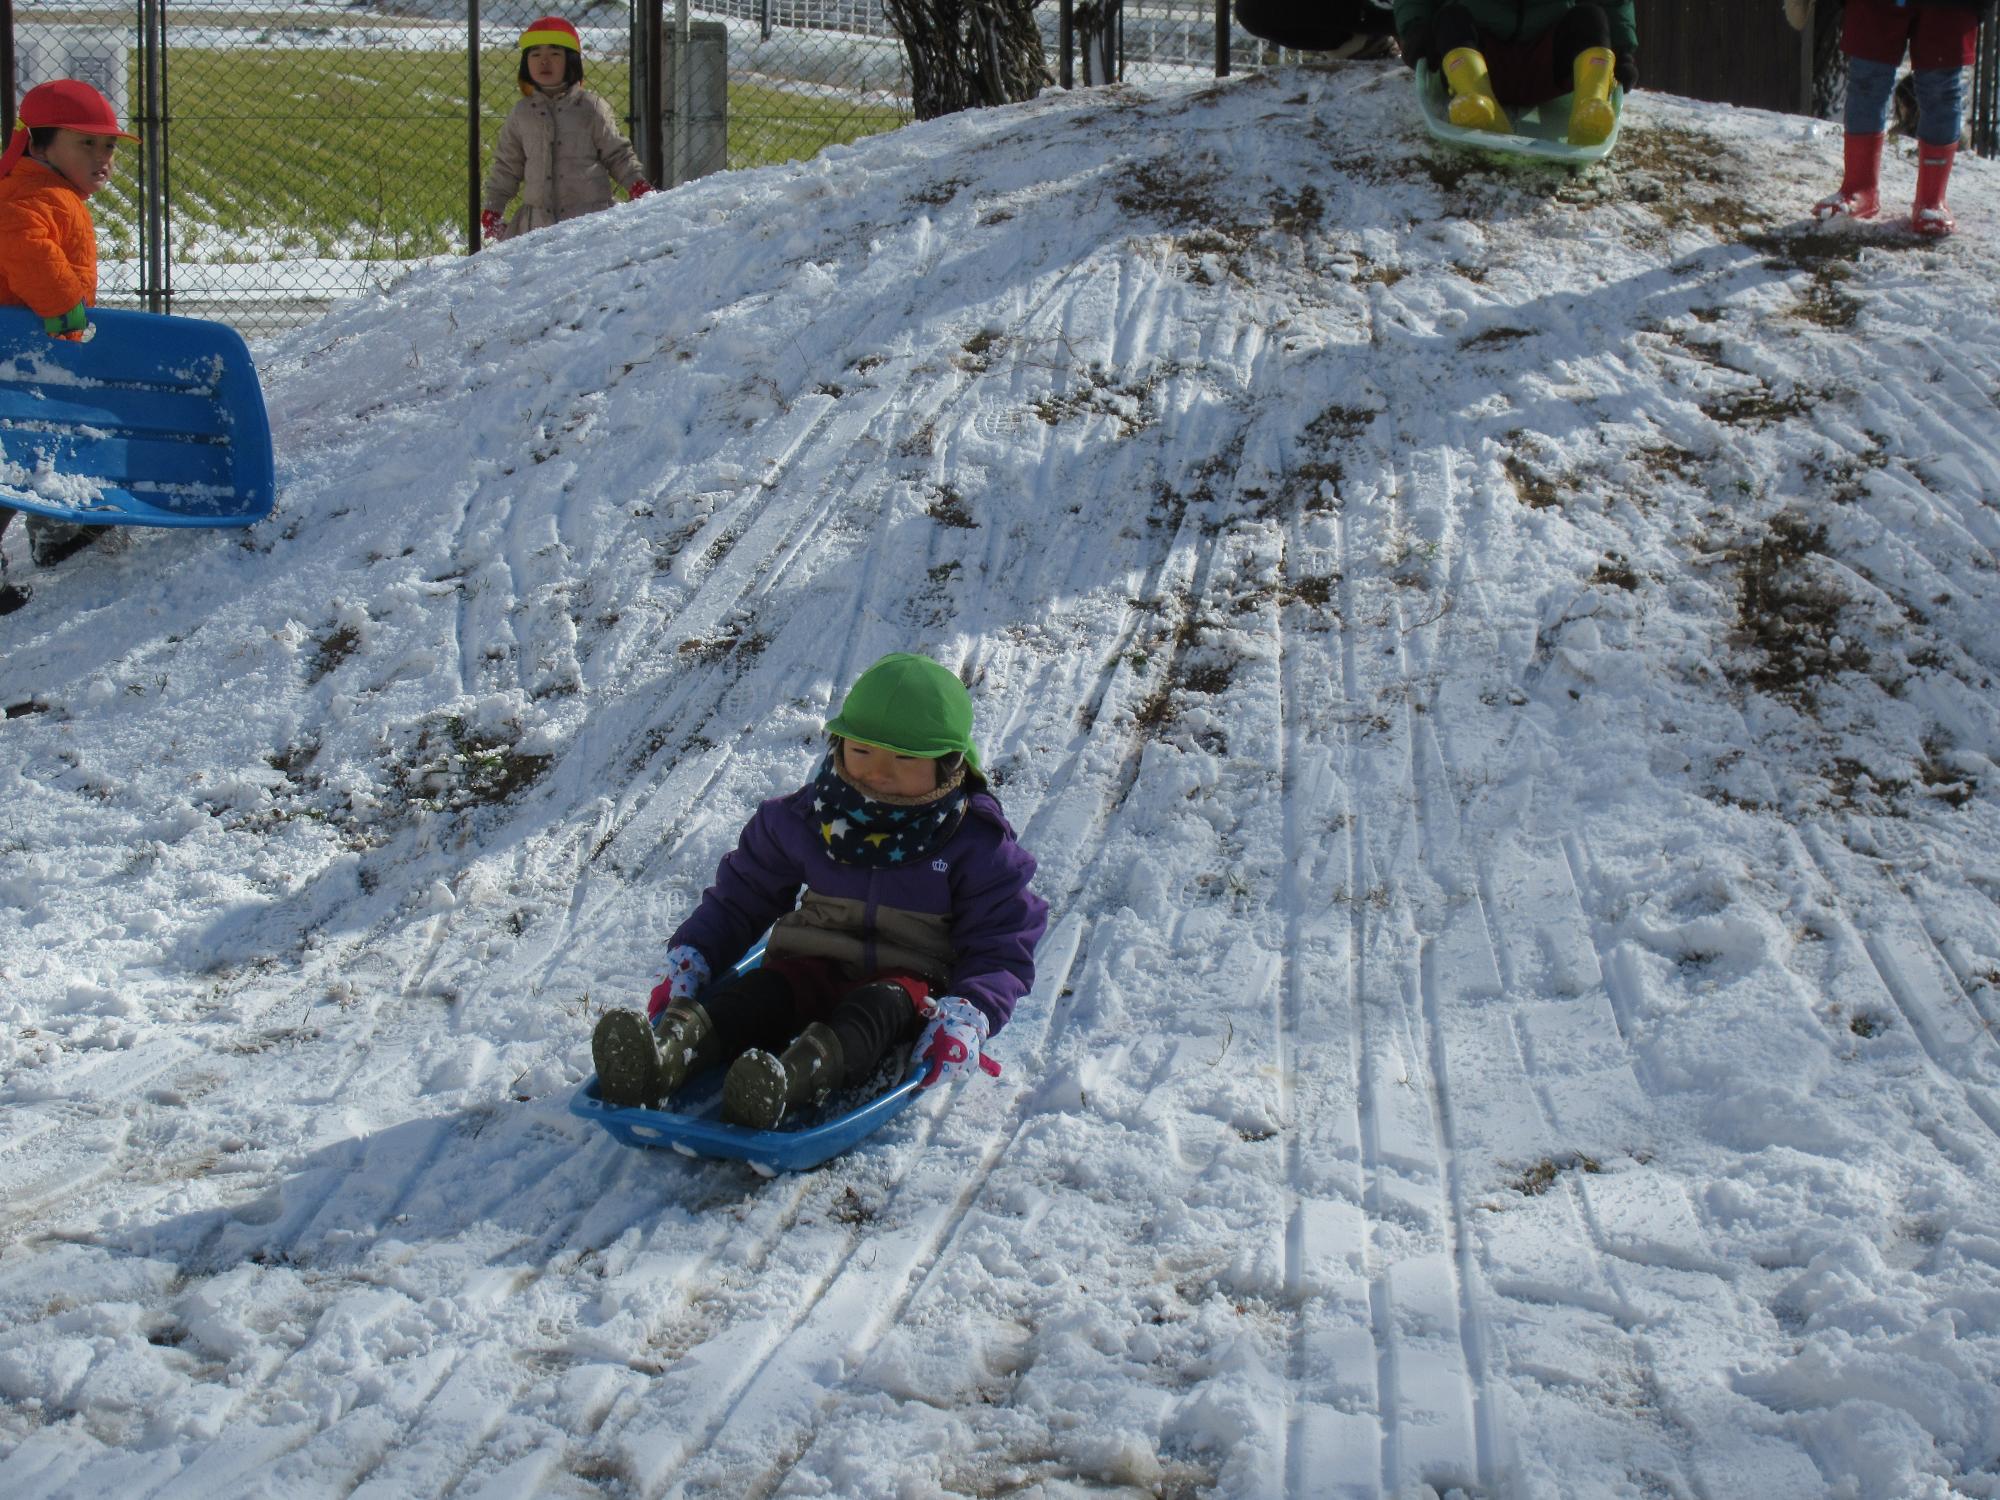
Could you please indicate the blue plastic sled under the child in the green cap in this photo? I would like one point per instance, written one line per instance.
(695, 1125)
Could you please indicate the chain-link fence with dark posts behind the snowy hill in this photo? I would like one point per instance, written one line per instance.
(305, 151)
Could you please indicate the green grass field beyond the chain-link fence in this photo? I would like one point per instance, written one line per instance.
(363, 155)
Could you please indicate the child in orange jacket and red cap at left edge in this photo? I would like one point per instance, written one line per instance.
(49, 247)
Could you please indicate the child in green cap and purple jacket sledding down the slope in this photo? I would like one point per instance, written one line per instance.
(895, 897)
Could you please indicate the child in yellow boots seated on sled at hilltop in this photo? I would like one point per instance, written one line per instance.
(1497, 53)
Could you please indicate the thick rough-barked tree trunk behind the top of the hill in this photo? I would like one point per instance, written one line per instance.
(969, 53)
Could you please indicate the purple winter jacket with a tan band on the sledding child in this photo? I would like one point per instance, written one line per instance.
(963, 917)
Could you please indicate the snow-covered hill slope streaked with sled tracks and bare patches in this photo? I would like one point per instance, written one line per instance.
(1499, 671)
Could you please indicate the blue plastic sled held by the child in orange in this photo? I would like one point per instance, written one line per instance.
(147, 423)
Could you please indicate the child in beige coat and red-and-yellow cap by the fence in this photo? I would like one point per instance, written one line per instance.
(561, 147)
